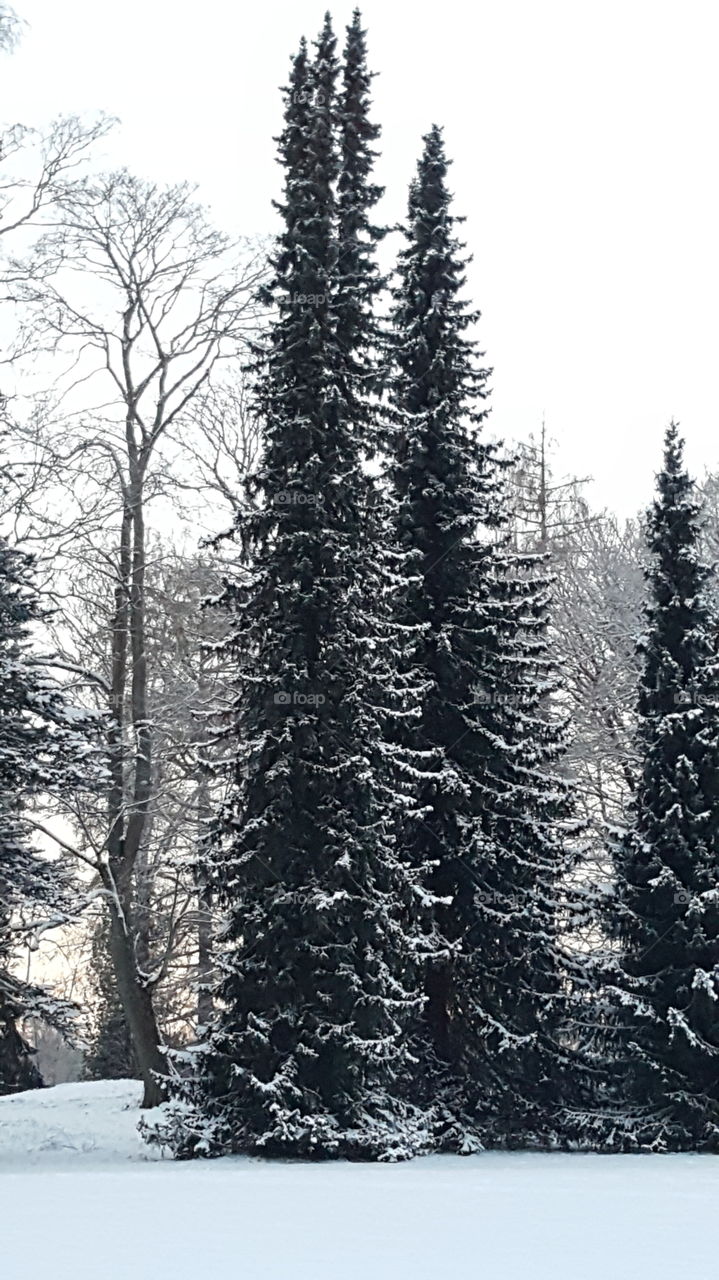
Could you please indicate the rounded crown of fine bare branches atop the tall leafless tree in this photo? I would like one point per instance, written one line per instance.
(135, 285)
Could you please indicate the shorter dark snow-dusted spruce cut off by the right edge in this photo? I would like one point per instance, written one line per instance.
(665, 912)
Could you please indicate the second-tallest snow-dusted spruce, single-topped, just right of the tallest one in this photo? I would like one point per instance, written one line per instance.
(491, 815)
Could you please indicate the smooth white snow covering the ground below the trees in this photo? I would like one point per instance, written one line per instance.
(85, 1201)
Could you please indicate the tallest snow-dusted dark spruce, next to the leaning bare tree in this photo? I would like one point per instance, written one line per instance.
(309, 1052)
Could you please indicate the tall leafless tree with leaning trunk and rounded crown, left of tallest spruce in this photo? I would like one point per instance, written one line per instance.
(145, 299)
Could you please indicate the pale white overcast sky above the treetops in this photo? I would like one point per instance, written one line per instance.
(585, 153)
